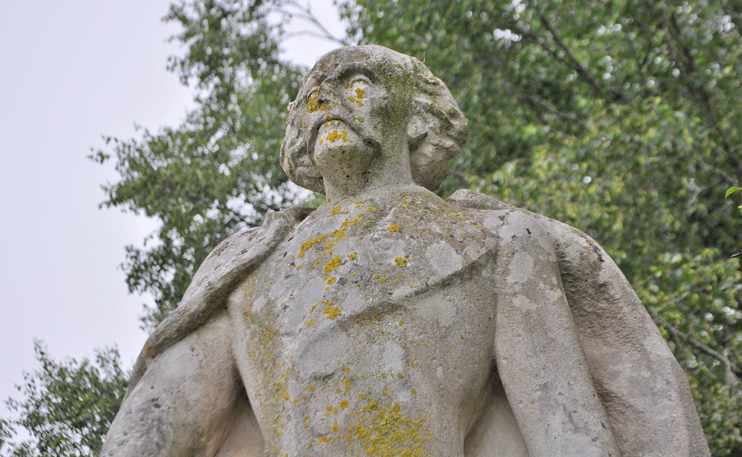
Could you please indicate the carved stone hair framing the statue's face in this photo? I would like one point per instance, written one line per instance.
(436, 127)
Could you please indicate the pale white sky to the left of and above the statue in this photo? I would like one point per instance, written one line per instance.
(70, 72)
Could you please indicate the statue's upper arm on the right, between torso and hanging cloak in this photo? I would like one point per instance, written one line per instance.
(538, 350)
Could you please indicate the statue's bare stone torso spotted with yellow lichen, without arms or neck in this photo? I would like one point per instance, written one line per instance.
(366, 324)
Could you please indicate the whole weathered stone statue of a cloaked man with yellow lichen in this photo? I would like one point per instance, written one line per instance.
(389, 322)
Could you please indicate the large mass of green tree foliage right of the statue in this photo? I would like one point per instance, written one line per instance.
(619, 117)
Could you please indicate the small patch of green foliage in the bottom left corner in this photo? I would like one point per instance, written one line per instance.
(68, 406)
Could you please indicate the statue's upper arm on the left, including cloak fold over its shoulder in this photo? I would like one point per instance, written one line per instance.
(185, 394)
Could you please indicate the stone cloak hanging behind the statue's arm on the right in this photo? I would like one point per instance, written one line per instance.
(642, 387)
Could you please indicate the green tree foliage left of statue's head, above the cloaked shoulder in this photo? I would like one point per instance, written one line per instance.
(218, 173)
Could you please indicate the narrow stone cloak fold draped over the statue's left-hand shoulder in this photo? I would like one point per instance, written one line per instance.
(222, 270)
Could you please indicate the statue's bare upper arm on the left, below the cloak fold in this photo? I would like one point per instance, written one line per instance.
(187, 402)
